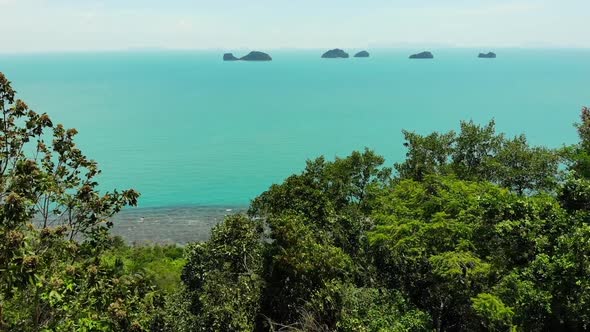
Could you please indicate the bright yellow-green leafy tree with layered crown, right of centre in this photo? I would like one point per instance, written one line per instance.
(426, 238)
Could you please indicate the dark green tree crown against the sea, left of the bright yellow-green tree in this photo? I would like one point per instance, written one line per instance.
(332, 199)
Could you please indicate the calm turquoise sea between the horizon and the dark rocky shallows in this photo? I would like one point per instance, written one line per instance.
(188, 130)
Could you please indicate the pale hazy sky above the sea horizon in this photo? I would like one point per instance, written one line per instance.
(67, 25)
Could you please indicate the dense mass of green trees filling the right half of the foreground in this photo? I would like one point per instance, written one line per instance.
(477, 232)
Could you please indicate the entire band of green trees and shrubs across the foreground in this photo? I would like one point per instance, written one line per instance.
(472, 231)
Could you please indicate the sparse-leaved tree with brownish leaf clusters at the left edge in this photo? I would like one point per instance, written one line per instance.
(53, 228)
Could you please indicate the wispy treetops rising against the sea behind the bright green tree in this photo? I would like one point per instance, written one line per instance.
(477, 153)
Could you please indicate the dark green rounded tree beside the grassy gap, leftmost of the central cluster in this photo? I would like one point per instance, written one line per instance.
(223, 277)
